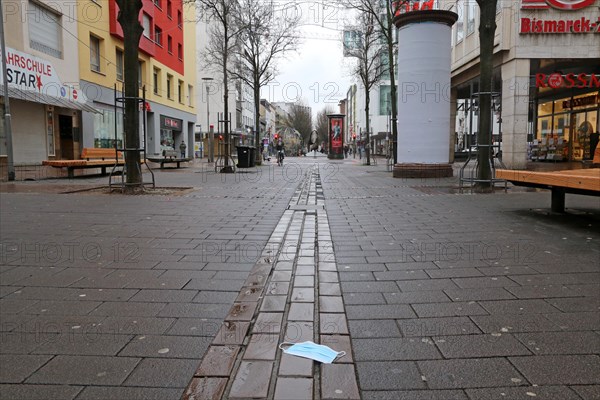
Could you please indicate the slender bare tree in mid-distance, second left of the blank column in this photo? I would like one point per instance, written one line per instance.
(368, 68)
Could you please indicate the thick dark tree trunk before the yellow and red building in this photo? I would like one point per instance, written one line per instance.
(129, 11)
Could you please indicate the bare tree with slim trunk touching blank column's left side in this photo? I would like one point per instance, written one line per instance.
(383, 13)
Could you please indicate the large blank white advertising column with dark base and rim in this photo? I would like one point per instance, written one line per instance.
(424, 56)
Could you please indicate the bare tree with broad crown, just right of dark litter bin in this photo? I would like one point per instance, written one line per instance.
(265, 36)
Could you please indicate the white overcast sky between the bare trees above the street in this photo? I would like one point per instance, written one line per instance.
(318, 74)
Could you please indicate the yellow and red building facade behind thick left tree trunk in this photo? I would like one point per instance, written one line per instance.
(167, 68)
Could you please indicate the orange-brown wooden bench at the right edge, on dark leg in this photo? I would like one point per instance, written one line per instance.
(578, 181)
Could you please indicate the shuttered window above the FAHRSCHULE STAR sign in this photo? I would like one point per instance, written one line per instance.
(45, 33)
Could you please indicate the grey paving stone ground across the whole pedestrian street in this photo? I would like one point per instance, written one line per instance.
(433, 295)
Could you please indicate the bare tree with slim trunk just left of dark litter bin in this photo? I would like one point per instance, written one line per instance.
(223, 31)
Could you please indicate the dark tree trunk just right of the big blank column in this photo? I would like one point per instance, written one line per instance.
(487, 29)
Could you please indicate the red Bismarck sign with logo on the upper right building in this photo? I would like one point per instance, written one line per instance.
(571, 23)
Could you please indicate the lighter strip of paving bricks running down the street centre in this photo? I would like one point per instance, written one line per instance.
(291, 295)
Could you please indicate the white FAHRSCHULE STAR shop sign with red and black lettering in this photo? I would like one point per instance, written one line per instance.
(34, 74)
